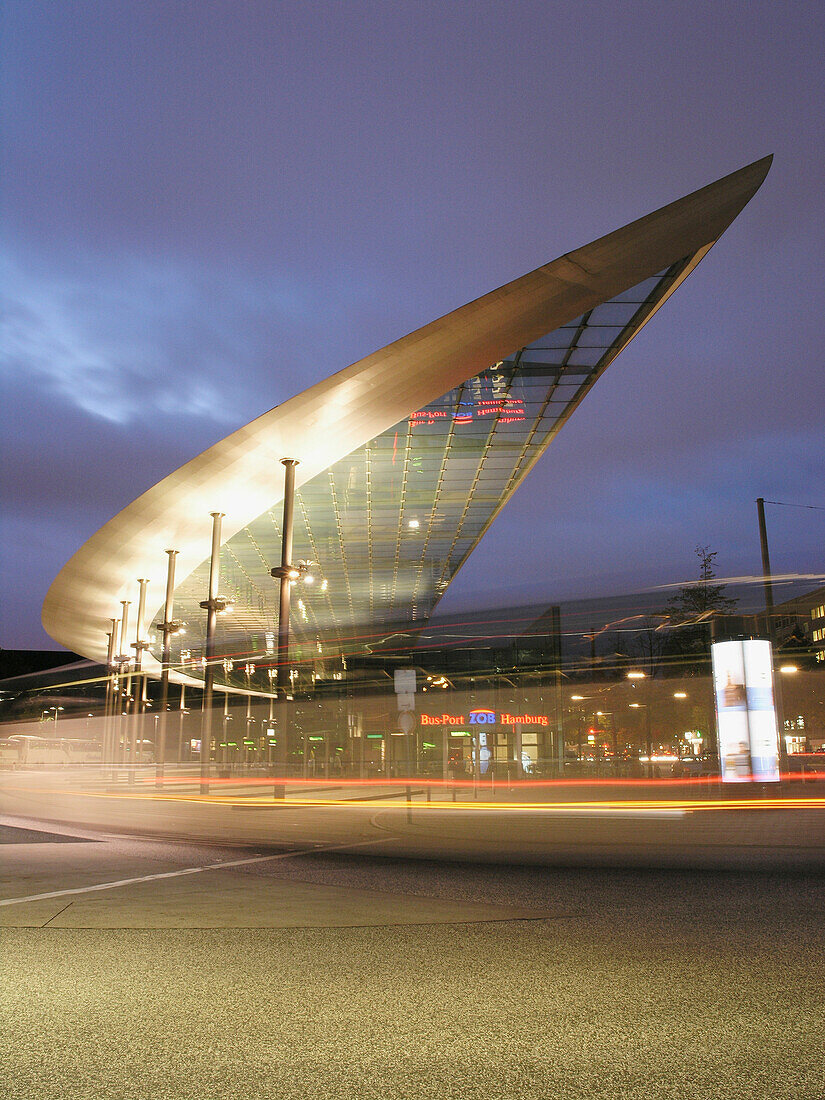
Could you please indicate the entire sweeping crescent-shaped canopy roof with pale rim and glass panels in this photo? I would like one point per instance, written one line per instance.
(405, 457)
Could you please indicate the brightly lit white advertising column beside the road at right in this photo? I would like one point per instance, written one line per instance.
(746, 717)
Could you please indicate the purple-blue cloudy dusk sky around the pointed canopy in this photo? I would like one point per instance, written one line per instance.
(211, 206)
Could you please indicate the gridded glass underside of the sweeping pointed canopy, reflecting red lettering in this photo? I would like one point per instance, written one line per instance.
(387, 529)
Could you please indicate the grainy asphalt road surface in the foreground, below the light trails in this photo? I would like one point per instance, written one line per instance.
(248, 973)
